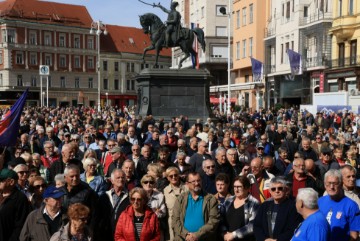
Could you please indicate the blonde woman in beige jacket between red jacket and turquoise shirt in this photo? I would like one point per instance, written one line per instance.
(171, 192)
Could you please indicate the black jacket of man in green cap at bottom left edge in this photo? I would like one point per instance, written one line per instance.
(13, 212)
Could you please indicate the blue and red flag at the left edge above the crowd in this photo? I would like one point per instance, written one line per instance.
(10, 123)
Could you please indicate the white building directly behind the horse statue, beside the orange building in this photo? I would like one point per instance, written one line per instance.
(206, 15)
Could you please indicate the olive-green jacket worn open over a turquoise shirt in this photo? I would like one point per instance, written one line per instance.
(211, 218)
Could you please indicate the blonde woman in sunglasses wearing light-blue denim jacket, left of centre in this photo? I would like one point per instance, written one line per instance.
(90, 176)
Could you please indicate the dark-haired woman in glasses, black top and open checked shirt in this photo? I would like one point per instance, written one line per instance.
(239, 212)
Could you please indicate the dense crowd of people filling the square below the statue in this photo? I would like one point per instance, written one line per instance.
(79, 174)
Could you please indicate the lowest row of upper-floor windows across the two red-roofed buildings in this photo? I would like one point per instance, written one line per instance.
(130, 84)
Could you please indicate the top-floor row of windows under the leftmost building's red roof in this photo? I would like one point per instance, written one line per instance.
(9, 36)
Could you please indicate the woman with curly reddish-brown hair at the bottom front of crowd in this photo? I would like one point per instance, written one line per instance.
(76, 229)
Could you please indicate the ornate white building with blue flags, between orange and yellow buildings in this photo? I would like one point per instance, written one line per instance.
(302, 26)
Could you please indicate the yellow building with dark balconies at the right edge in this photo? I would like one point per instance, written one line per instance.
(343, 73)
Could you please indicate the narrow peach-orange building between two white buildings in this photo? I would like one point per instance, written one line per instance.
(249, 21)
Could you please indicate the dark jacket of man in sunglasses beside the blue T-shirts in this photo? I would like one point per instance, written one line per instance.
(287, 220)
